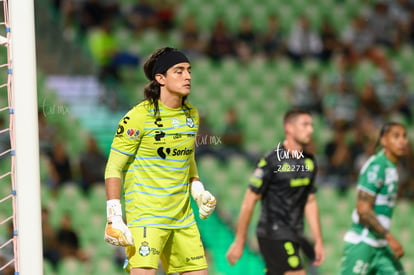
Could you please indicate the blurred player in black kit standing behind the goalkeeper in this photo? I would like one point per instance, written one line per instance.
(284, 182)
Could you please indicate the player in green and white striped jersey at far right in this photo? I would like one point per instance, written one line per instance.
(370, 248)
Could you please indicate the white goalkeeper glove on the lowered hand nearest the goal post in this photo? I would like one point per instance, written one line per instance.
(116, 232)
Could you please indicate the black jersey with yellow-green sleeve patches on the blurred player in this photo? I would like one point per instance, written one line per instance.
(285, 180)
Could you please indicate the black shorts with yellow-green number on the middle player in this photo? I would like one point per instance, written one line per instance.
(280, 256)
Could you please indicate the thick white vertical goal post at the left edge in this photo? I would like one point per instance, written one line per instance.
(26, 139)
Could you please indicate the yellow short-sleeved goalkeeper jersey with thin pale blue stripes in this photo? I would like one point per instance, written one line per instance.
(156, 178)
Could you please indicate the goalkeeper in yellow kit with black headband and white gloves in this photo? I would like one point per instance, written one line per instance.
(152, 161)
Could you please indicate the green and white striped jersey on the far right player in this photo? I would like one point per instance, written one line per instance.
(378, 177)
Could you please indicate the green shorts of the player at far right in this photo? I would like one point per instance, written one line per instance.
(363, 259)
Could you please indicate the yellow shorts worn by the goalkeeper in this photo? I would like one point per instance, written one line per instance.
(180, 250)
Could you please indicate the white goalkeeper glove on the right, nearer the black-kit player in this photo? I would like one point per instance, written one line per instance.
(205, 201)
